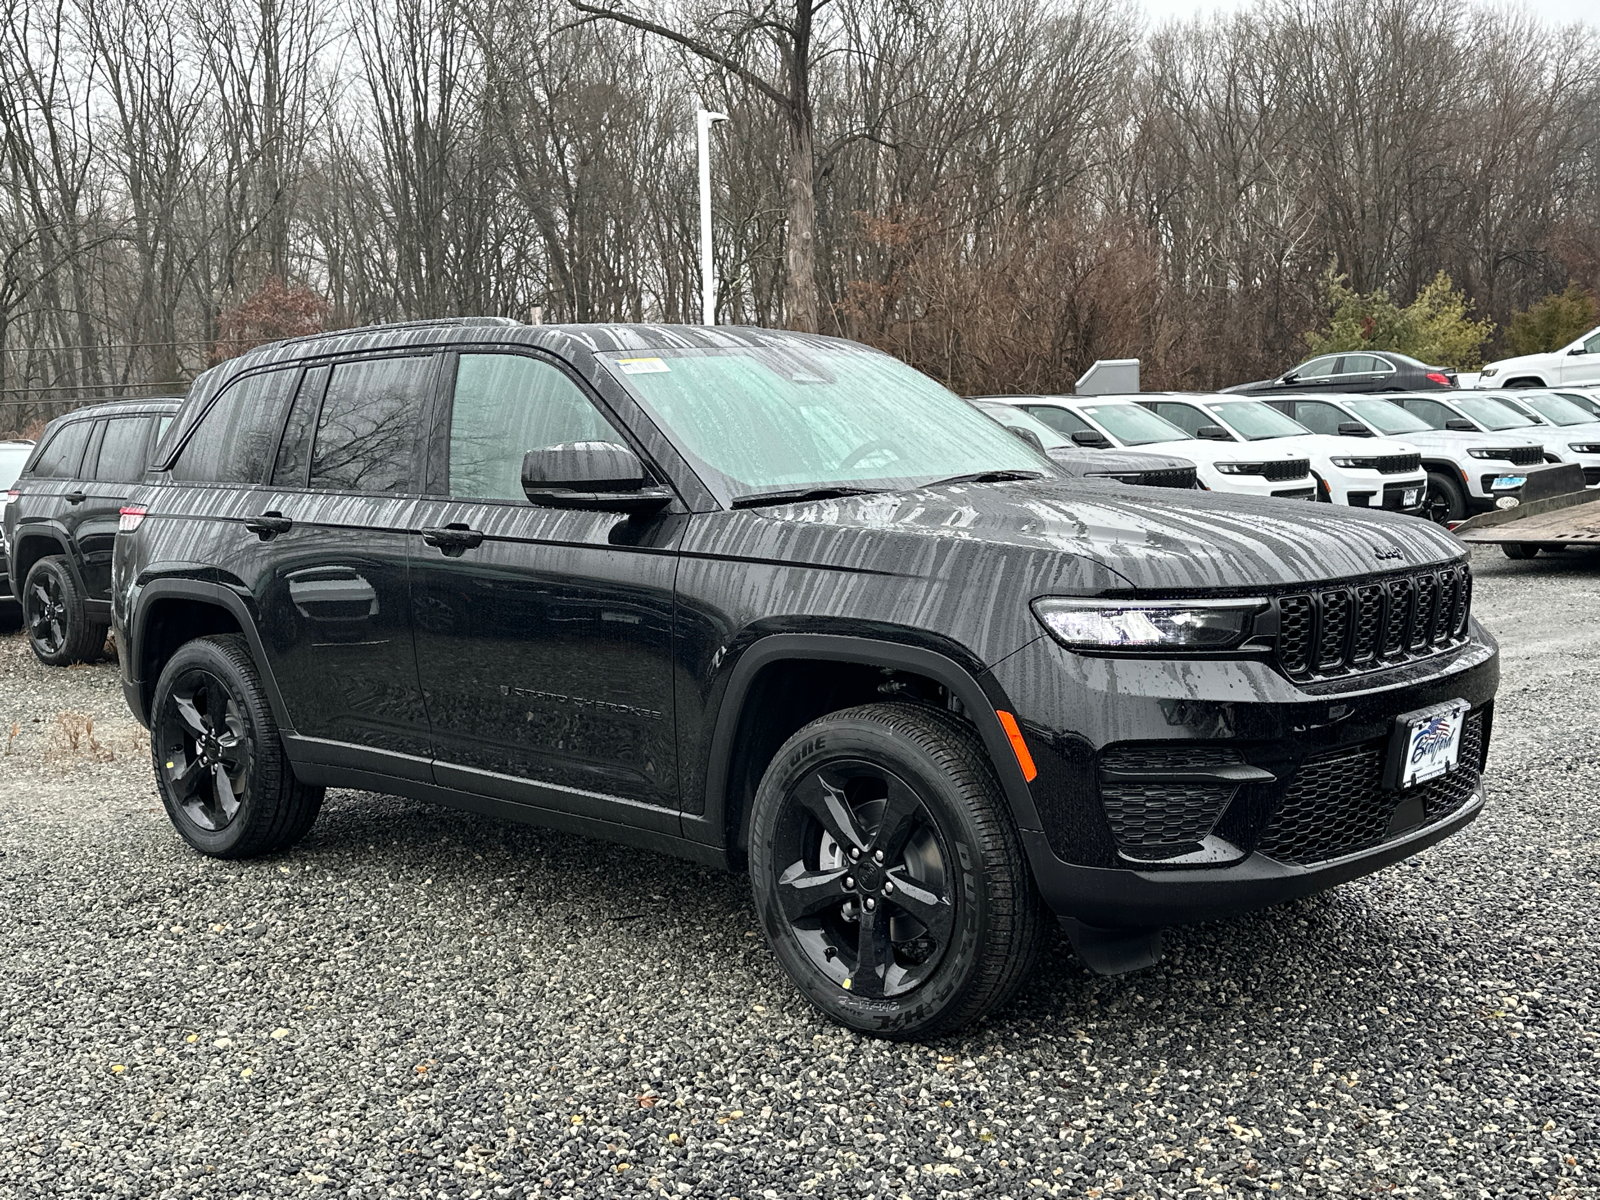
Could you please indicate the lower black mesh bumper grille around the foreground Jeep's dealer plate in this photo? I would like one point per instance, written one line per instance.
(1338, 804)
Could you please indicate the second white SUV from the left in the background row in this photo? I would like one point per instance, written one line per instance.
(1348, 470)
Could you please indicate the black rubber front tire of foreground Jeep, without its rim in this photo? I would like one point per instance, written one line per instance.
(1001, 924)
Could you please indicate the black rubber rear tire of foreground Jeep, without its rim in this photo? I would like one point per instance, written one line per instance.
(276, 810)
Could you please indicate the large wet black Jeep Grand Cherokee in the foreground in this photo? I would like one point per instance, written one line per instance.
(780, 601)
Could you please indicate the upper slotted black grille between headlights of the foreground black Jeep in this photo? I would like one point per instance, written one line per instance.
(1370, 626)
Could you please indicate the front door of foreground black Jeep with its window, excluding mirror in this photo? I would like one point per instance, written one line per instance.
(545, 636)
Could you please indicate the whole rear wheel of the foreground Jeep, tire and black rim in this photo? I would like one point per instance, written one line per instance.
(218, 758)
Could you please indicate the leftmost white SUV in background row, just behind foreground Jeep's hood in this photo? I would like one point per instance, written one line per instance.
(1220, 466)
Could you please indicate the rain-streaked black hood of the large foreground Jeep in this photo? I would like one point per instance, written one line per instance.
(1076, 530)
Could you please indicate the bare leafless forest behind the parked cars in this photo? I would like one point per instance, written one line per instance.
(999, 191)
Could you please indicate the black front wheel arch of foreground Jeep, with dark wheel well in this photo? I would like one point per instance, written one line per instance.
(743, 743)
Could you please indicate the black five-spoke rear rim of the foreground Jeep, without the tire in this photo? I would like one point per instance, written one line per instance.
(206, 746)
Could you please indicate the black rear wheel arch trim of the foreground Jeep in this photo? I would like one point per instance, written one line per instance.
(174, 612)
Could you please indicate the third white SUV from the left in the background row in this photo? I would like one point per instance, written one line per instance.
(1466, 471)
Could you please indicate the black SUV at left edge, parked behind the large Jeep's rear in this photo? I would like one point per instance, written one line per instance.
(62, 521)
